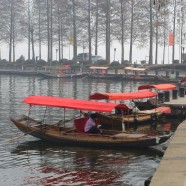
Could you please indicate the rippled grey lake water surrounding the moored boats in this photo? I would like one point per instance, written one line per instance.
(25, 160)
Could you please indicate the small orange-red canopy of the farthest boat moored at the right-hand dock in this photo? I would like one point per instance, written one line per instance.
(158, 87)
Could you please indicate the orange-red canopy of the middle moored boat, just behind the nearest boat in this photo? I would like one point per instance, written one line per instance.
(123, 96)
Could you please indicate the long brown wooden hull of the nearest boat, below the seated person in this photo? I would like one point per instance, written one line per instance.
(68, 136)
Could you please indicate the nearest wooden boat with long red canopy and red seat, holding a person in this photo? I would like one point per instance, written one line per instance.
(74, 135)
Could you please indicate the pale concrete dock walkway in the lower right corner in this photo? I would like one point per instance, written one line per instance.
(172, 168)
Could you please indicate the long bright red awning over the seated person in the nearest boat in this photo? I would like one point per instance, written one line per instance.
(71, 103)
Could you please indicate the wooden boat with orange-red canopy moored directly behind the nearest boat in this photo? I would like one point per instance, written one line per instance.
(126, 114)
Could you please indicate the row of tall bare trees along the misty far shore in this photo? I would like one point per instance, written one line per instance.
(85, 23)
